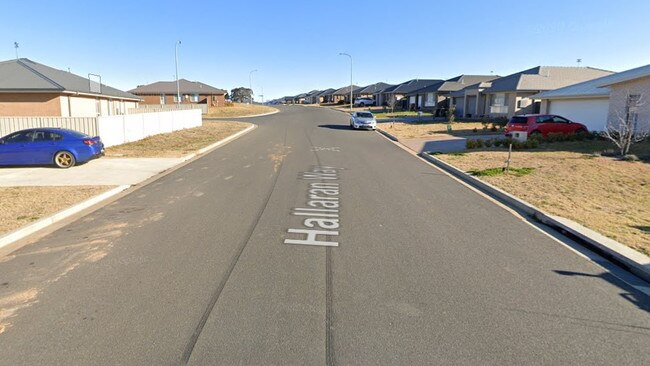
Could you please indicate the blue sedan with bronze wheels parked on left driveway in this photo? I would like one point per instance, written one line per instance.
(44, 146)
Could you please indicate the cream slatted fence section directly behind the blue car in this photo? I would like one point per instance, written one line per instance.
(87, 125)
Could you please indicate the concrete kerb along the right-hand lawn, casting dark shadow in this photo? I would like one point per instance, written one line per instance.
(636, 262)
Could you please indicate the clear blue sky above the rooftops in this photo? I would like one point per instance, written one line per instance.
(295, 44)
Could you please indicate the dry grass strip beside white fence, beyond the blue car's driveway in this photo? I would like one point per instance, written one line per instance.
(179, 143)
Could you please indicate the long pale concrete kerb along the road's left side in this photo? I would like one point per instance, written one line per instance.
(25, 231)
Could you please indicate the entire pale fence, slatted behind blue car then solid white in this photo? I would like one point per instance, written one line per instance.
(114, 130)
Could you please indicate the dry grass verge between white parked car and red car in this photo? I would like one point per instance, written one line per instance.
(434, 130)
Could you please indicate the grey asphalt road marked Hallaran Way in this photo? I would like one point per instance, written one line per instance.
(194, 268)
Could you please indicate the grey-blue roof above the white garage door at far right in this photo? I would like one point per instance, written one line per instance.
(595, 87)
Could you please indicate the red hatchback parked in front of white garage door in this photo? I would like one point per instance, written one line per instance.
(543, 124)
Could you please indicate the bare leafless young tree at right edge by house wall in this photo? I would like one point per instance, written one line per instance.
(625, 128)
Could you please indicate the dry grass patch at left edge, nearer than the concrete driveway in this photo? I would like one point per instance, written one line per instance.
(23, 205)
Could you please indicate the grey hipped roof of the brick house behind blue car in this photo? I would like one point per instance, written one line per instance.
(24, 75)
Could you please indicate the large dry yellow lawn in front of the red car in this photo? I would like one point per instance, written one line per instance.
(606, 195)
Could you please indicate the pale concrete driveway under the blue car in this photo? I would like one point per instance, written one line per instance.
(103, 171)
